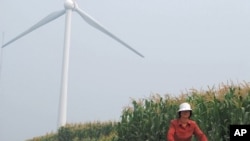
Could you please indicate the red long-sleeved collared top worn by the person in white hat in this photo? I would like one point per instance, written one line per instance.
(177, 132)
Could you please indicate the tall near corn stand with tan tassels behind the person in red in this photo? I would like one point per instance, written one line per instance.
(213, 110)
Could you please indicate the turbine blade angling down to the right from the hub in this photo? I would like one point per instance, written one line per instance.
(98, 26)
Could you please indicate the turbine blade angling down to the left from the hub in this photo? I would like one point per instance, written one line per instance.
(42, 22)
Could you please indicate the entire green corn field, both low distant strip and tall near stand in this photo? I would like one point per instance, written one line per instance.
(148, 119)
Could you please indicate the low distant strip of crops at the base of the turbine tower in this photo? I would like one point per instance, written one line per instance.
(95, 131)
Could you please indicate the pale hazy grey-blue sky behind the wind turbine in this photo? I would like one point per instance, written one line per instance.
(186, 43)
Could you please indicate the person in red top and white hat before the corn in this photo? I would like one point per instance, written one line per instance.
(183, 128)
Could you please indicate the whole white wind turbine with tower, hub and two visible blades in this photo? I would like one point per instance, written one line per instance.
(69, 7)
